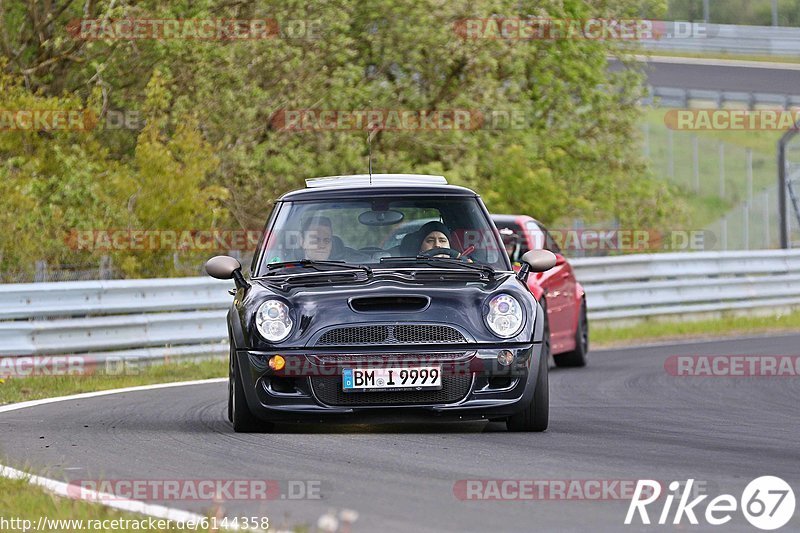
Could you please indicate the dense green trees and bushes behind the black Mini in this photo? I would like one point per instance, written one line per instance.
(208, 155)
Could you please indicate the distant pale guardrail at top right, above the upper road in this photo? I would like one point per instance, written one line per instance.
(729, 39)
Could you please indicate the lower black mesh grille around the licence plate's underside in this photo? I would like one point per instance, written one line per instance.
(329, 391)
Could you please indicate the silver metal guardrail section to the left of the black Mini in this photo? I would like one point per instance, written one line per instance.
(142, 319)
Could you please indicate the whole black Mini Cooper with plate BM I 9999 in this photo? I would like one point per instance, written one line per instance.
(384, 298)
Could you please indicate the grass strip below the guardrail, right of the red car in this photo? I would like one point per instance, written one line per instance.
(609, 336)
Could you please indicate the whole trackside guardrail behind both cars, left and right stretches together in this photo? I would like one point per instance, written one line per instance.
(185, 317)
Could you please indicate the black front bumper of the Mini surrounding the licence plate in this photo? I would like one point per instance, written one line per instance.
(475, 385)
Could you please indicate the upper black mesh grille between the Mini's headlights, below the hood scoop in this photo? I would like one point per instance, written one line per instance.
(391, 334)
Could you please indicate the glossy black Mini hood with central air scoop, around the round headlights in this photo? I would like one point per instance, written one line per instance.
(388, 299)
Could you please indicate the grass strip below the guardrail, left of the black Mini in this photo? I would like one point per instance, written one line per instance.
(35, 387)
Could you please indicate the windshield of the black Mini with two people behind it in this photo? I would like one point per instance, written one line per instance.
(366, 231)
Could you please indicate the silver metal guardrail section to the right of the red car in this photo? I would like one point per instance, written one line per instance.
(653, 285)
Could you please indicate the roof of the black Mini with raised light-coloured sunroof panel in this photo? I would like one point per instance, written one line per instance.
(358, 186)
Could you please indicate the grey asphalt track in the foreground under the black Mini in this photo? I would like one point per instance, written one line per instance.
(621, 418)
